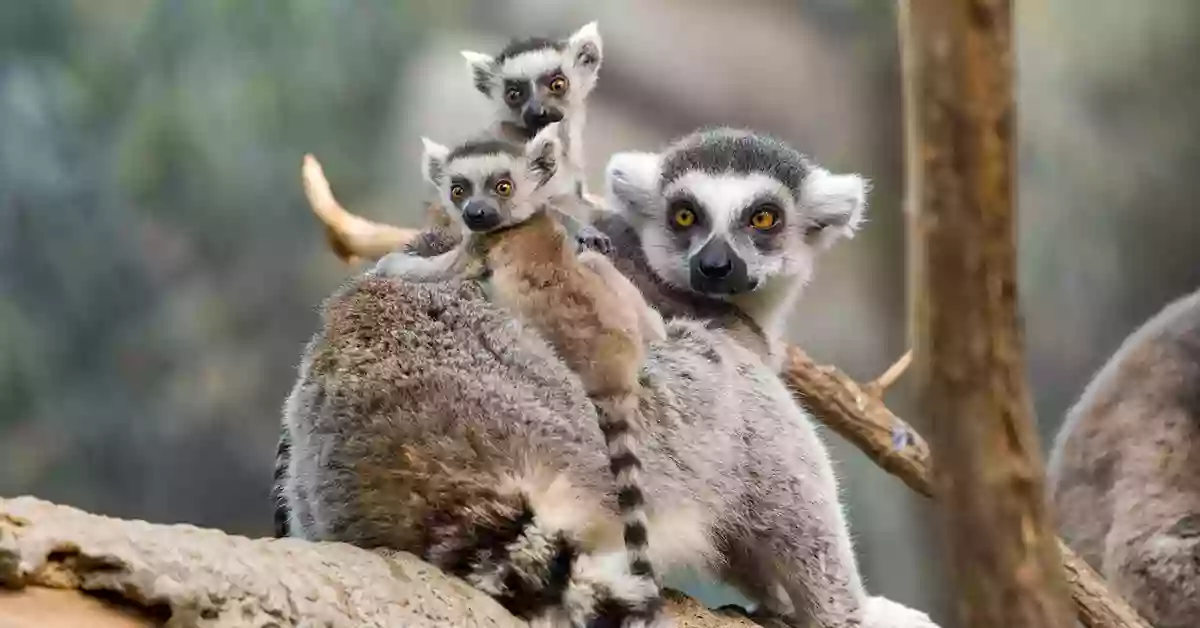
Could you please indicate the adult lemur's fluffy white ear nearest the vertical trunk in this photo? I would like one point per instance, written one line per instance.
(836, 206)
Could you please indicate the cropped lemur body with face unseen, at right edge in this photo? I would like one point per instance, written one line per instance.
(1125, 469)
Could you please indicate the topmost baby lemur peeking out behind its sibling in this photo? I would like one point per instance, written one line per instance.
(538, 82)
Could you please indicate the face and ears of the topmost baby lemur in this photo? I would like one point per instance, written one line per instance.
(537, 82)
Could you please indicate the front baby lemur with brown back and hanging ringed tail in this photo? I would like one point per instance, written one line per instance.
(503, 196)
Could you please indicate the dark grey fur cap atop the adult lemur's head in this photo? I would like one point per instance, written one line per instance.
(725, 151)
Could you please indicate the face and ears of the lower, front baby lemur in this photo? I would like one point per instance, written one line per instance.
(490, 184)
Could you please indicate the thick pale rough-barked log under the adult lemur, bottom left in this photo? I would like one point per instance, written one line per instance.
(68, 569)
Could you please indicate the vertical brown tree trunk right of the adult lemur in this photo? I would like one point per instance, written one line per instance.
(1005, 561)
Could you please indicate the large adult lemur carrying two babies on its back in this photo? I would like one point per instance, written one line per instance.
(425, 418)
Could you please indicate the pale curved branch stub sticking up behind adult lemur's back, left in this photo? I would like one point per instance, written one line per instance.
(352, 238)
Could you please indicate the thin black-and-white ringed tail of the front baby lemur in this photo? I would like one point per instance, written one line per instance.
(620, 420)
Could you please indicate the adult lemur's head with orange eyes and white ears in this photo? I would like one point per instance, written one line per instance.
(728, 213)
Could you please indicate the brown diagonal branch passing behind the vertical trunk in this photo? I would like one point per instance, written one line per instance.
(861, 417)
